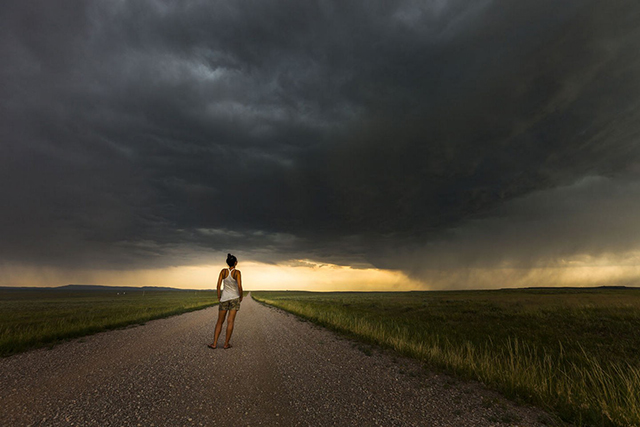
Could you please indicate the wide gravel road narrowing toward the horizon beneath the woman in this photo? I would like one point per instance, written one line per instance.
(280, 371)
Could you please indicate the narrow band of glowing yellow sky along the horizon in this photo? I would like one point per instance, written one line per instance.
(309, 275)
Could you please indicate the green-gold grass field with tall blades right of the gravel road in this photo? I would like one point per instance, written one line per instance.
(574, 352)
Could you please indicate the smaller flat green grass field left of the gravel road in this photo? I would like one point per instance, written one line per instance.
(36, 318)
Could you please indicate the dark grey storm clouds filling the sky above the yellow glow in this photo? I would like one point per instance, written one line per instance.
(403, 134)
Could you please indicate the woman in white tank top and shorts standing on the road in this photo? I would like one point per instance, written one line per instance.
(229, 298)
